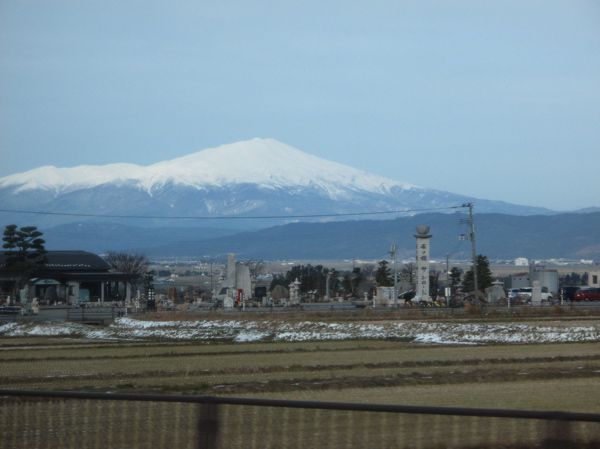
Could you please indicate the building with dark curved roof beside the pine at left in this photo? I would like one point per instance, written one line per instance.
(68, 277)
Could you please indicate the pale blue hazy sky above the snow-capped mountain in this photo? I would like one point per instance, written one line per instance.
(499, 100)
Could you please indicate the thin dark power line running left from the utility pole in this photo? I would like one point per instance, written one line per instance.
(230, 217)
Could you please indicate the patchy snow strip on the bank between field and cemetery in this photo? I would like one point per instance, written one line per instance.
(249, 331)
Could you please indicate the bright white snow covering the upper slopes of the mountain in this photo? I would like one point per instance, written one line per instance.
(264, 162)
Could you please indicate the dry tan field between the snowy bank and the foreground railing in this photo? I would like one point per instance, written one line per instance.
(541, 376)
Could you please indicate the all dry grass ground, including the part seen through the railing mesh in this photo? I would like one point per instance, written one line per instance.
(541, 376)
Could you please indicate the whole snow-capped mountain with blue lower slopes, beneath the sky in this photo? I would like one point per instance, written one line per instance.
(257, 177)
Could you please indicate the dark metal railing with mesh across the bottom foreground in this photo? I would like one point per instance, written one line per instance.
(69, 420)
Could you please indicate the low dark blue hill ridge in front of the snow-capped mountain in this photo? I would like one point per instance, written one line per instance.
(499, 236)
